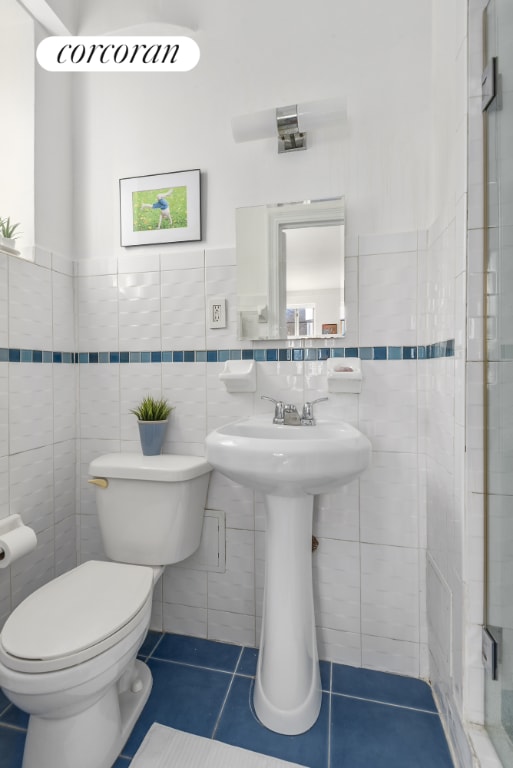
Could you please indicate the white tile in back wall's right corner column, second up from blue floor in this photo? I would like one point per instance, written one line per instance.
(390, 592)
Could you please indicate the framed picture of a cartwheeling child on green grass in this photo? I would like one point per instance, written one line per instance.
(160, 208)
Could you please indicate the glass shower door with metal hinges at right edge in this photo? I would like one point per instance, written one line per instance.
(499, 370)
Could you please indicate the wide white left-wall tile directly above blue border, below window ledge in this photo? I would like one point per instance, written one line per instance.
(30, 305)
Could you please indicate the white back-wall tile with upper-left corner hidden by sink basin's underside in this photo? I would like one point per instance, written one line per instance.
(389, 500)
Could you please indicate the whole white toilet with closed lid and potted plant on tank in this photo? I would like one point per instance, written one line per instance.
(68, 652)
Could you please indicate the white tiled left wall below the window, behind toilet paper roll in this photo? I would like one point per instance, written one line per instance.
(37, 420)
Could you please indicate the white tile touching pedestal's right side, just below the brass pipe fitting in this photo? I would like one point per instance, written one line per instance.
(336, 578)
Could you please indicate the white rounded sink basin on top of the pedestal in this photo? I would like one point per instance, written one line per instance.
(285, 460)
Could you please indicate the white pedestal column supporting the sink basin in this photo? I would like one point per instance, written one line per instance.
(287, 694)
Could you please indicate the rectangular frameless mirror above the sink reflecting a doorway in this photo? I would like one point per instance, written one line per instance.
(290, 270)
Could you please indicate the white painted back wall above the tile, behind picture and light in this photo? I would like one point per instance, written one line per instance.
(256, 56)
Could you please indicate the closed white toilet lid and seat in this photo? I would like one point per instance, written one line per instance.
(76, 616)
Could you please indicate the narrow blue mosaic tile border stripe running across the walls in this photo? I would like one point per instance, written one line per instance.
(427, 352)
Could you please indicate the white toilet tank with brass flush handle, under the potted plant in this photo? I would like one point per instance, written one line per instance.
(150, 508)
